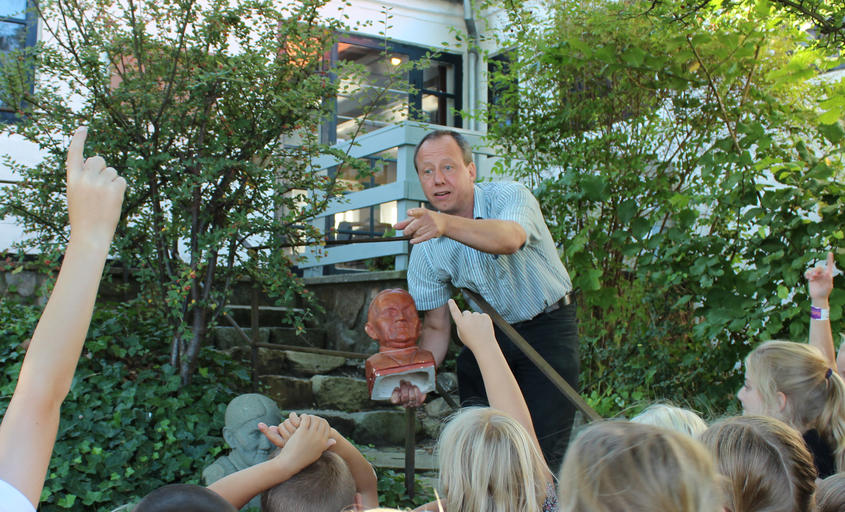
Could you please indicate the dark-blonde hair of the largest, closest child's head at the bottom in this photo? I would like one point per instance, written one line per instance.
(619, 465)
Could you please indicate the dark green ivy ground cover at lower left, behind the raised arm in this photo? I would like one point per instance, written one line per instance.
(126, 427)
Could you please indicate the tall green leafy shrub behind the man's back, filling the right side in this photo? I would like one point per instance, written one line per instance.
(692, 168)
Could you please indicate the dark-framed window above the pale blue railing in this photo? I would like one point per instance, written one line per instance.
(379, 95)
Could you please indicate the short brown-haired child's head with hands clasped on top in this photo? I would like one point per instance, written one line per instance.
(324, 486)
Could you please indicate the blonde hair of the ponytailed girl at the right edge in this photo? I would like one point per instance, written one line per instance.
(815, 392)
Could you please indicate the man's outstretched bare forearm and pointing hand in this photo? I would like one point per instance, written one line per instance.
(494, 236)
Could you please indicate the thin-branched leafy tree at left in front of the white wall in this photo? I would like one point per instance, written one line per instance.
(211, 110)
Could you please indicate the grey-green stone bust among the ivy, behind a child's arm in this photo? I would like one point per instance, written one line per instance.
(249, 445)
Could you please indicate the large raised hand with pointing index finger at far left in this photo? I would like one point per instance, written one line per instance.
(94, 194)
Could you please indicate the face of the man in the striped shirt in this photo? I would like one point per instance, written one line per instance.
(446, 181)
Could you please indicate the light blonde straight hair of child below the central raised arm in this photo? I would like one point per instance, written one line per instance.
(489, 462)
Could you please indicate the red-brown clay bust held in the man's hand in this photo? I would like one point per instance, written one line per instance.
(392, 320)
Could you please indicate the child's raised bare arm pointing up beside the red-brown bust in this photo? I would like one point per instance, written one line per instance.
(503, 393)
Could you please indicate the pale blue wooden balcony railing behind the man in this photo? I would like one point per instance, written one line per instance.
(405, 190)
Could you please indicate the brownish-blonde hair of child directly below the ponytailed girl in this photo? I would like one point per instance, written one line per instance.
(766, 464)
